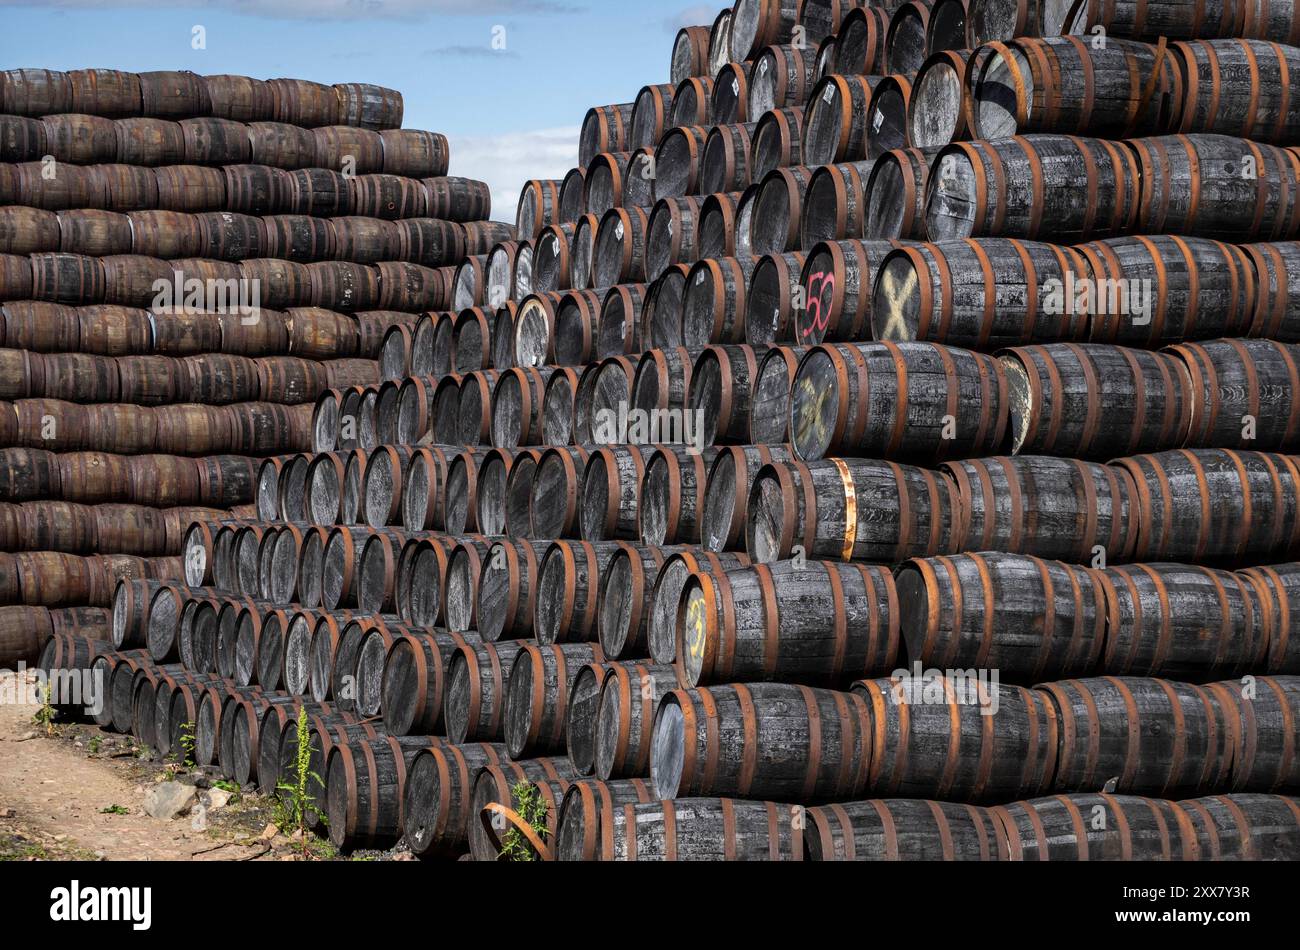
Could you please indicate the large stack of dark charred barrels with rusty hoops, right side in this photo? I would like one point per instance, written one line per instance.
(759, 497)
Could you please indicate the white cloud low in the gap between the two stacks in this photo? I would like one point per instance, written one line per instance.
(508, 162)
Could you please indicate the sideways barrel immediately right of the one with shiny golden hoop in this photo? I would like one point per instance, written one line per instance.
(1047, 507)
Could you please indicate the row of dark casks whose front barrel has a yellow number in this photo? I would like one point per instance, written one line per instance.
(713, 613)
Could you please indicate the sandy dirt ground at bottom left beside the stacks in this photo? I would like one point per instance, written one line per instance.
(76, 793)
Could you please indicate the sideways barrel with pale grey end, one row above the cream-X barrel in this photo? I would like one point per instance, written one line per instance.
(999, 190)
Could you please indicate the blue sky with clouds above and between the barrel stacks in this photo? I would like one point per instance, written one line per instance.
(512, 115)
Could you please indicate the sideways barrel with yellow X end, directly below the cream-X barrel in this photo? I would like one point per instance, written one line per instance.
(946, 402)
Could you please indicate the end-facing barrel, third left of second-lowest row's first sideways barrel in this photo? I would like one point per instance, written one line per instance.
(538, 696)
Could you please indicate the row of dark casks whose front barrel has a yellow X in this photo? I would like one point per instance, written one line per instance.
(1045, 398)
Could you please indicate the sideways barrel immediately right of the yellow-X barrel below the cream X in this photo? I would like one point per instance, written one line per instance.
(1069, 398)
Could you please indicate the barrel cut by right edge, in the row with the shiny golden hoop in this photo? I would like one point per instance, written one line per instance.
(1203, 506)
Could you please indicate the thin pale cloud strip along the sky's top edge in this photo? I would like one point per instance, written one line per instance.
(328, 10)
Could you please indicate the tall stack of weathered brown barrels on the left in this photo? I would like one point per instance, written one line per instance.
(187, 264)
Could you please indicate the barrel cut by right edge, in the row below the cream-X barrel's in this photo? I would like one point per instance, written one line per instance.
(1243, 394)
